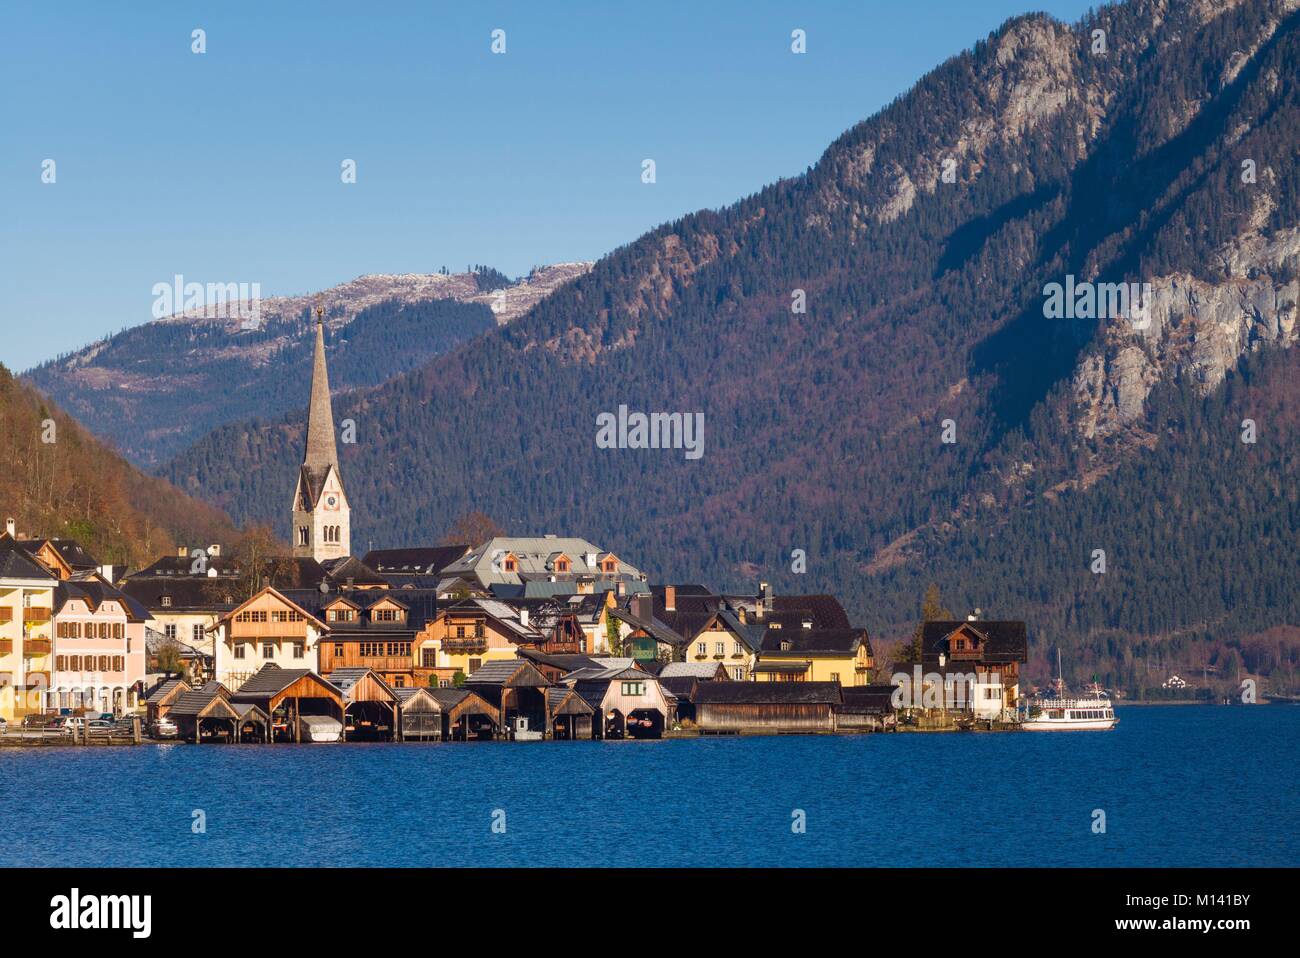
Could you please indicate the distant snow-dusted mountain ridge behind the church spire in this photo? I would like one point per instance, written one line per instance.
(155, 389)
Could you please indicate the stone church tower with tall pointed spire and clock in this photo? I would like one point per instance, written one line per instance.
(323, 519)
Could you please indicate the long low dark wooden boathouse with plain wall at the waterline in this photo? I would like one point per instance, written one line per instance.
(768, 706)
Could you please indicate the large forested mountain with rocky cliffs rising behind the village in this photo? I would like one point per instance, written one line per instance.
(1152, 142)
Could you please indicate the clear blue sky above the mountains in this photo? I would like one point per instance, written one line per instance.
(226, 167)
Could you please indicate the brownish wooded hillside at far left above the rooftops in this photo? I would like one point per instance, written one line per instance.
(60, 482)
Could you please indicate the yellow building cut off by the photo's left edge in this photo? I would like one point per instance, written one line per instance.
(27, 610)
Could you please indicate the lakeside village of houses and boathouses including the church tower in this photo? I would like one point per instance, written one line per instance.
(523, 639)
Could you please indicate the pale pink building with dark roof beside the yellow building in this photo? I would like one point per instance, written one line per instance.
(98, 651)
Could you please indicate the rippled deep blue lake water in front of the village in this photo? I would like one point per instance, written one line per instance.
(1178, 786)
